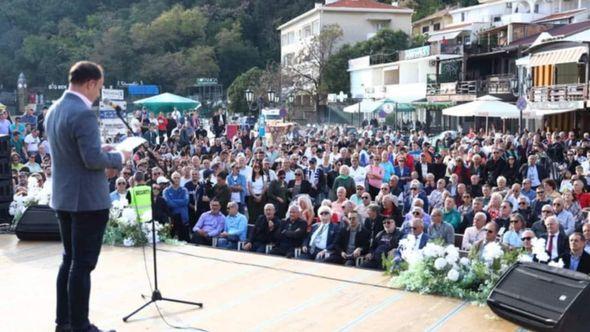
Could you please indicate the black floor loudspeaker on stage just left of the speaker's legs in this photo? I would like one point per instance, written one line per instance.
(38, 223)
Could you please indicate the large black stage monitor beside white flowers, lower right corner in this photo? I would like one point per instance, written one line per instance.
(542, 298)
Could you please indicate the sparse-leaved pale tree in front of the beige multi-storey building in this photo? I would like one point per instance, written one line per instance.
(307, 74)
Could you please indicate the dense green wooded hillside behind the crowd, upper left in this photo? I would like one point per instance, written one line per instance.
(164, 42)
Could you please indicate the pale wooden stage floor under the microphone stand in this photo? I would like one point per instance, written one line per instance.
(241, 292)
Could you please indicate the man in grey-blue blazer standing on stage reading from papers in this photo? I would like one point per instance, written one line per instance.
(80, 190)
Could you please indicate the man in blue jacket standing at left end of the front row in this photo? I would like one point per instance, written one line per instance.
(177, 199)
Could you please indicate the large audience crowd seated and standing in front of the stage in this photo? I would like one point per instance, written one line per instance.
(332, 195)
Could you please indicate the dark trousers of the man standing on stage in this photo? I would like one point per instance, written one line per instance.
(81, 234)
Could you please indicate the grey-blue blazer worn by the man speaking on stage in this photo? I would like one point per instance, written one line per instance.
(78, 162)
